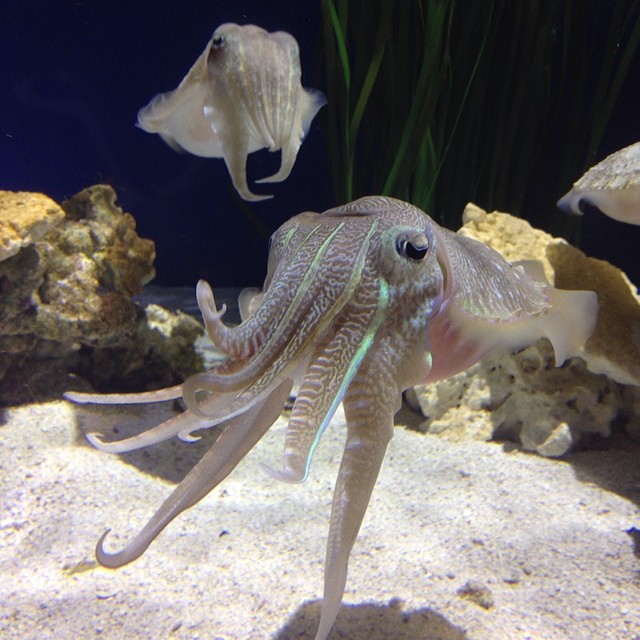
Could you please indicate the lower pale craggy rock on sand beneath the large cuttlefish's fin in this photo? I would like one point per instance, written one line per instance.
(526, 399)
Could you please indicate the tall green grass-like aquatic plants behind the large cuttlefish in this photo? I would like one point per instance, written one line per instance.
(502, 103)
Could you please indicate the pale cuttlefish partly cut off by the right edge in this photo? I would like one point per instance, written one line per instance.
(612, 186)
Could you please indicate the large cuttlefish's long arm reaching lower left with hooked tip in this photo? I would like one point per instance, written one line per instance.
(237, 439)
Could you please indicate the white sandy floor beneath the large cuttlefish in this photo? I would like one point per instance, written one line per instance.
(553, 542)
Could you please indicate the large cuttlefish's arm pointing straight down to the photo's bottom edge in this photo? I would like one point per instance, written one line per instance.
(369, 410)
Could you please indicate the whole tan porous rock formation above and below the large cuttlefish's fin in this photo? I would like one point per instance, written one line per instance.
(524, 397)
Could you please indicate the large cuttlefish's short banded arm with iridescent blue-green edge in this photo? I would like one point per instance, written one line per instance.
(333, 366)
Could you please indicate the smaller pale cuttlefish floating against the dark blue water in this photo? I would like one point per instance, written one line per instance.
(243, 93)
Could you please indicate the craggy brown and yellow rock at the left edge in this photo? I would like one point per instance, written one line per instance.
(67, 278)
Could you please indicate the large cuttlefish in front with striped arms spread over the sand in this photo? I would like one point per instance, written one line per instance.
(359, 303)
